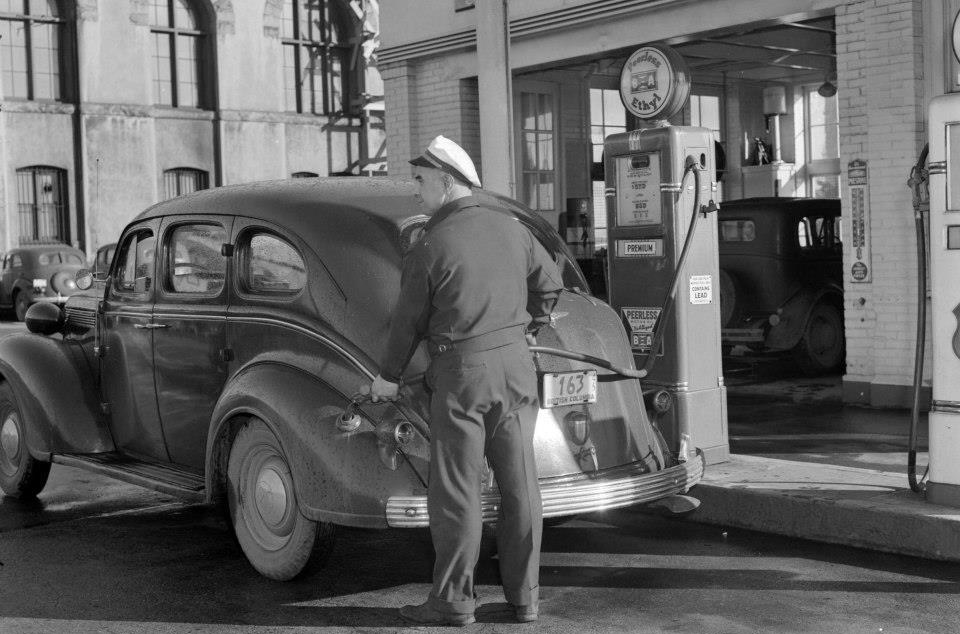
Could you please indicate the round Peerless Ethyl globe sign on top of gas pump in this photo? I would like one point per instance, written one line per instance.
(654, 82)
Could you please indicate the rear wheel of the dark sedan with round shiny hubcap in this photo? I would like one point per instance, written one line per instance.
(277, 540)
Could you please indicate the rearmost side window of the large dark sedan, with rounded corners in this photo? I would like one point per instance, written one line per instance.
(270, 264)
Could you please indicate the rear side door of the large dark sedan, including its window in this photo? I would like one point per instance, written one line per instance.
(189, 336)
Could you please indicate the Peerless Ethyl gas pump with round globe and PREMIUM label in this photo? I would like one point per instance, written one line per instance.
(662, 268)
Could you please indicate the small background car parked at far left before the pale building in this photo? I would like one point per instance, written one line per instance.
(38, 273)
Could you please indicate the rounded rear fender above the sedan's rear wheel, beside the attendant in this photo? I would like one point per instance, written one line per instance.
(338, 475)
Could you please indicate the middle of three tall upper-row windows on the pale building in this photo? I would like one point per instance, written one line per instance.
(179, 45)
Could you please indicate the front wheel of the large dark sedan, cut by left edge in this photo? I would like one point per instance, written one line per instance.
(21, 476)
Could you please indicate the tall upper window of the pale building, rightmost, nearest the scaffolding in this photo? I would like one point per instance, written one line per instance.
(316, 58)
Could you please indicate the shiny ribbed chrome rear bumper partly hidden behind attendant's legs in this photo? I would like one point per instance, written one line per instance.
(570, 495)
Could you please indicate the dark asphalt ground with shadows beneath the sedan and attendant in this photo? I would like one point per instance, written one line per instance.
(96, 556)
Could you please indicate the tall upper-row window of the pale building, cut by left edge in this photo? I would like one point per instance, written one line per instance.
(31, 34)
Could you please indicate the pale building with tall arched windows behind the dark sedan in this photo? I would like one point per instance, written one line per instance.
(108, 106)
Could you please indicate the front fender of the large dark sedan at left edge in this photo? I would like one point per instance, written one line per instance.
(54, 387)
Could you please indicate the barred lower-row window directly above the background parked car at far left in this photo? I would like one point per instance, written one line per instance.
(42, 204)
